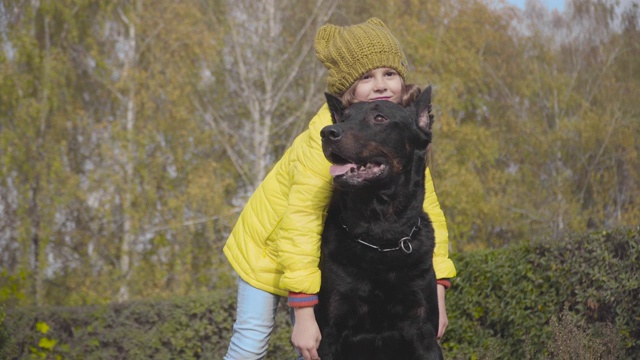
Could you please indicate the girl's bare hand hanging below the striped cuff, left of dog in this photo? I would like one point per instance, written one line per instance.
(306, 333)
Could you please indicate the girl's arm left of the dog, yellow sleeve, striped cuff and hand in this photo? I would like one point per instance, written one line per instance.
(301, 231)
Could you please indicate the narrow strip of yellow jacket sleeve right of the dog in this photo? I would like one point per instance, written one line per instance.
(442, 265)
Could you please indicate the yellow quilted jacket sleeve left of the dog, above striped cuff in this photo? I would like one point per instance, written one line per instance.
(303, 221)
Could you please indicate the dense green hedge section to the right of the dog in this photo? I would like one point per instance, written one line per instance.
(509, 301)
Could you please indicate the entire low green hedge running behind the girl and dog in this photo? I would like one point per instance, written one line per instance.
(571, 300)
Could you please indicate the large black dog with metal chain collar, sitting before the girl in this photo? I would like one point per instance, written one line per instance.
(378, 297)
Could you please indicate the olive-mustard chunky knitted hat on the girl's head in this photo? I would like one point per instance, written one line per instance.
(349, 52)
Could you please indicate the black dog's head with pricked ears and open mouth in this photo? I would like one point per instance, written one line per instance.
(373, 142)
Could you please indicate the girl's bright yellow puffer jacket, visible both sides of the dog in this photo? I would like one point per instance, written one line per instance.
(275, 245)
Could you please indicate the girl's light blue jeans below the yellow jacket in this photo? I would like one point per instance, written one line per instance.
(255, 318)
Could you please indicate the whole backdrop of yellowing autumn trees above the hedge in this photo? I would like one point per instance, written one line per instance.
(132, 131)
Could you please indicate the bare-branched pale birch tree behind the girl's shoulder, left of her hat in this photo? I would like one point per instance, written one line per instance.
(272, 80)
